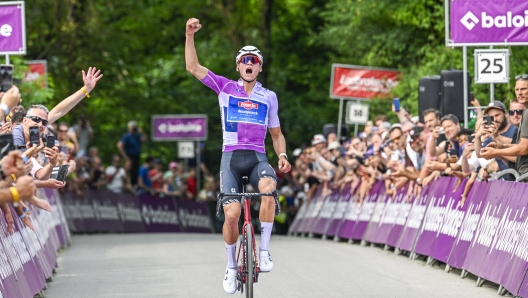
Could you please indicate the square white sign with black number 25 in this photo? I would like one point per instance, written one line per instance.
(492, 66)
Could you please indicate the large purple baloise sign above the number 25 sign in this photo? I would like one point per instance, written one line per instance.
(489, 21)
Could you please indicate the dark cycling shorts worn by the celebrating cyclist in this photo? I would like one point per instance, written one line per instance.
(239, 163)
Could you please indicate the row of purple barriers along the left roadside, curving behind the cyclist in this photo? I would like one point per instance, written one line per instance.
(28, 258)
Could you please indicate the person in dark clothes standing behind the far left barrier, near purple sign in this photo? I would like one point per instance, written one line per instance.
(130, 148)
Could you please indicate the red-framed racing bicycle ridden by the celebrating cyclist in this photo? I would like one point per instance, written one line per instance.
(247, 258)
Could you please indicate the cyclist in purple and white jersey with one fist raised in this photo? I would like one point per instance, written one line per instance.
(247, 110)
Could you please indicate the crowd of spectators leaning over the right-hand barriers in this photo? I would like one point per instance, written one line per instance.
(413, 153)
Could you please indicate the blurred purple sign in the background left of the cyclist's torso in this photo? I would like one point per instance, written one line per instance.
(179, 127)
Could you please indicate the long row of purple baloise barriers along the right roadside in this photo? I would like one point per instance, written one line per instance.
(486, 236)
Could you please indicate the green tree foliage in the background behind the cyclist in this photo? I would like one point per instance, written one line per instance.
(139, 45)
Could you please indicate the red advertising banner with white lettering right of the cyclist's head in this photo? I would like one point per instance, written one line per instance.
(362, 82)
